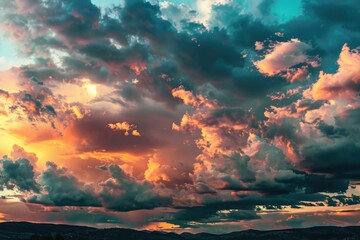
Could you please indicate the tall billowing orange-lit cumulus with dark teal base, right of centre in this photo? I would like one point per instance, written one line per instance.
(231, 156)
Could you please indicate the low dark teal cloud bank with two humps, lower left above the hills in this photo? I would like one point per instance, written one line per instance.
(120, 192)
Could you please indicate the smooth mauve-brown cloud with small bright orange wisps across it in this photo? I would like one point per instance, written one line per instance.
(95, 133)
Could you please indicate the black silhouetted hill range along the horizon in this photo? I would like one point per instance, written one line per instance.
(35, 231)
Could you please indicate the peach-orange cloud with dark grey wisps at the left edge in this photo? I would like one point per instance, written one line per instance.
(35, 103)
